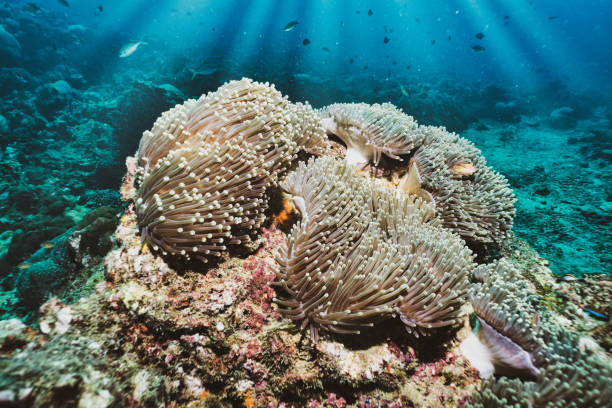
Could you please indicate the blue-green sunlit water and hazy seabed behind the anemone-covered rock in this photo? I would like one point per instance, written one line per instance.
(527, 81)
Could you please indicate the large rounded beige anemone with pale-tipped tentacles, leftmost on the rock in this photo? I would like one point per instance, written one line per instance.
(206, 166)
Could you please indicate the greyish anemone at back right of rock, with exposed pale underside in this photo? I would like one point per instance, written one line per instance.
(471, 199)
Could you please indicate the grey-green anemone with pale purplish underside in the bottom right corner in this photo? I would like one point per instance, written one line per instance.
(539, 363)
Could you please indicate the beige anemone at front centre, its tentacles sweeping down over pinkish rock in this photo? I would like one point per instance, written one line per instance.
(362, 254)
